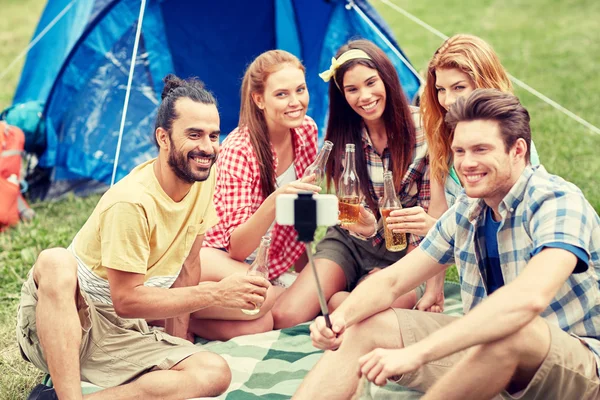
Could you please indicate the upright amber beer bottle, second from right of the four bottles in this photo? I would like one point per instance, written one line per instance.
(349, 189)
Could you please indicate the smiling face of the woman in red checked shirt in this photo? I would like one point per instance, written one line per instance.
(285, 99)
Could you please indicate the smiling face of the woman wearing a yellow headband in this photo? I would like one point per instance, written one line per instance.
(365, 92)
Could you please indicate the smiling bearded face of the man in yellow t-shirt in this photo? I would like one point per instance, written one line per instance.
(194, 140)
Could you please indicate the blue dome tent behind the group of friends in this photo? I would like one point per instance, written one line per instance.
(80, 68)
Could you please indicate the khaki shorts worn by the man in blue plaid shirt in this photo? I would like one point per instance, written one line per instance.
(569, 370)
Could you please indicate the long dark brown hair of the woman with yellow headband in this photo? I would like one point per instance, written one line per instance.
(345, 125)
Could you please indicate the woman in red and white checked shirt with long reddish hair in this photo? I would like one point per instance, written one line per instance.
(263, 157)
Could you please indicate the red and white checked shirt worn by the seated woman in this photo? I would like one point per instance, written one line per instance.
(238, 192)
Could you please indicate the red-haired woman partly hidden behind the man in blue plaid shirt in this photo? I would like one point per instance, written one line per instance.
(462, 64)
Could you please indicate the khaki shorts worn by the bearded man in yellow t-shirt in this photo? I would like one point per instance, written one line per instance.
(113, 350)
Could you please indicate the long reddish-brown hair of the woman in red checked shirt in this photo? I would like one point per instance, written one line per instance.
(253, 117)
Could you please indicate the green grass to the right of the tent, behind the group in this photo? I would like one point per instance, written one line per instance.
(552, 45)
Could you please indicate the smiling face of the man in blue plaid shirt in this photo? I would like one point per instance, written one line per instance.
(485, 167)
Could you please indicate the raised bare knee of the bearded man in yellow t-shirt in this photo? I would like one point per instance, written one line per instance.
(55, 270)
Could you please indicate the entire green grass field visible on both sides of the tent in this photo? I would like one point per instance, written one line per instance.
(552, 45)
